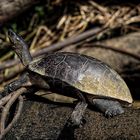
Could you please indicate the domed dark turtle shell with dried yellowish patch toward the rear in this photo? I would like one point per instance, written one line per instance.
(84, 73)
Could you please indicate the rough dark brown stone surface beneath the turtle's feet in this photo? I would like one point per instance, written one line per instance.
(46, 121)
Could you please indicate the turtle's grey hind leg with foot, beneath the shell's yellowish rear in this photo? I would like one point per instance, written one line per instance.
(108, 107)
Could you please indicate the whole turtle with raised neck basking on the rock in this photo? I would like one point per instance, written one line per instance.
(85, 78)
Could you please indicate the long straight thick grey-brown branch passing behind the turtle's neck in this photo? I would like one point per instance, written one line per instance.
(58, 46)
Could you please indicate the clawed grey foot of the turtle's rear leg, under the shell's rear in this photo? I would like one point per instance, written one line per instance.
(112, 111)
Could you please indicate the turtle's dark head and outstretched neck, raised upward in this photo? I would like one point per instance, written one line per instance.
(20, 47)
